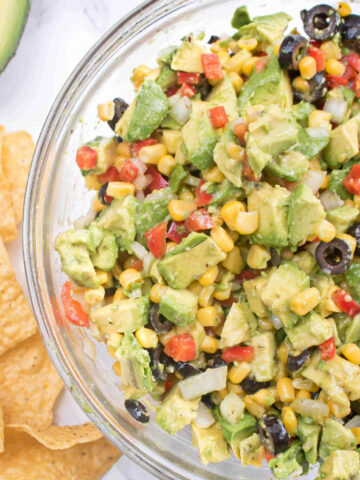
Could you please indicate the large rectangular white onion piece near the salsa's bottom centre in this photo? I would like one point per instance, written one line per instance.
(211, 380)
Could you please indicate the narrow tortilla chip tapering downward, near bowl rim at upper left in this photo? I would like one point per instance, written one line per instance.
(18, 149)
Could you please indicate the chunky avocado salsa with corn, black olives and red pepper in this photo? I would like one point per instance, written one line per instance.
(220, 262)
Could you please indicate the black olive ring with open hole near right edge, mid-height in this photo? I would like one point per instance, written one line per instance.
(333, 257)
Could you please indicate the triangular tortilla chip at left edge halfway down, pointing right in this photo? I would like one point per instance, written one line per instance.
(16, 319)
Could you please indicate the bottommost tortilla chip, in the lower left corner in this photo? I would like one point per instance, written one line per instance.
(26, 458)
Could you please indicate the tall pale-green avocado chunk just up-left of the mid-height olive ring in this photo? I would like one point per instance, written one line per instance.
(305, 214)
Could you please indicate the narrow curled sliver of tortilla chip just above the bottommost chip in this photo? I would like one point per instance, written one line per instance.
(60, 438)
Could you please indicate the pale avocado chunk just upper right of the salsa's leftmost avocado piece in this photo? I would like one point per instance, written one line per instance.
(119, 218)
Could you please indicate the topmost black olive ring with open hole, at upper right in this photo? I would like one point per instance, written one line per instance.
(321, 22)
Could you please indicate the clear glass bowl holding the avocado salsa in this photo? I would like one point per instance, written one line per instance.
(56, 196)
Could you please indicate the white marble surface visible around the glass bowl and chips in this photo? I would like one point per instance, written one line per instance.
(57, 35)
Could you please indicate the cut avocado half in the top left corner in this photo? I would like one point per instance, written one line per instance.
(13, 16)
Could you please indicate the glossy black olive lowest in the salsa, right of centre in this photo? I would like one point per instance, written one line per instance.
(273, 434)
